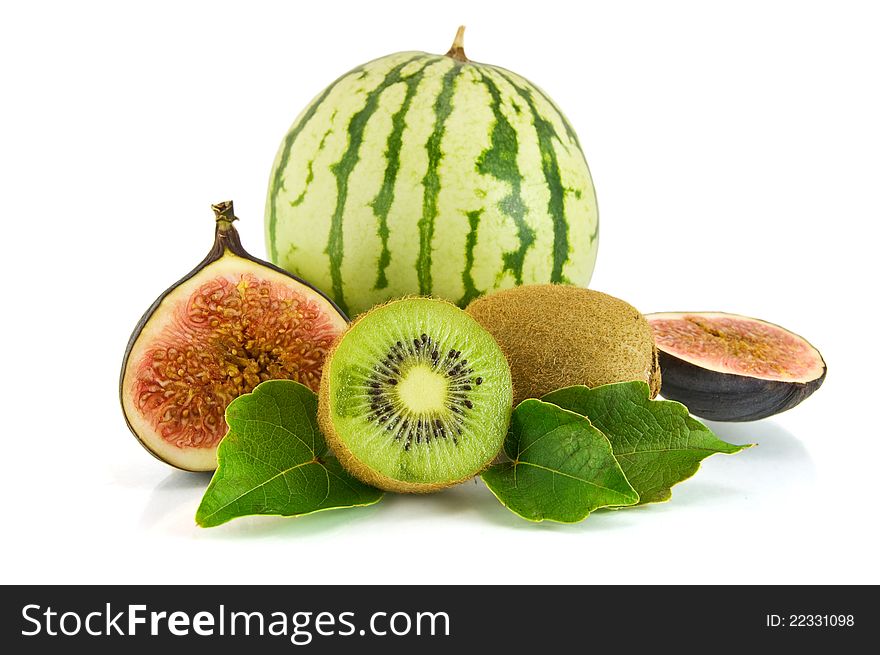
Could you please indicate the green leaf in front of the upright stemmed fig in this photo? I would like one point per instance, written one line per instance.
(274, 460)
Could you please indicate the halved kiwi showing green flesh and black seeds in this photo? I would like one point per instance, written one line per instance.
(415, 396)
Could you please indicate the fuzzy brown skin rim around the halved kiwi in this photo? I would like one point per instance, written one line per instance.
(348, 460)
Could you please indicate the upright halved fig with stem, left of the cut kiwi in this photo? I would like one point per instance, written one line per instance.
(231, 323)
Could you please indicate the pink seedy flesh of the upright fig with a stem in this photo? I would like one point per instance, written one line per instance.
(232, 333)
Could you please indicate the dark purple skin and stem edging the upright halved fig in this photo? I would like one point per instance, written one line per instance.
(226, 239)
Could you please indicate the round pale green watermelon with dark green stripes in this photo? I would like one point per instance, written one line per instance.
(431, 175)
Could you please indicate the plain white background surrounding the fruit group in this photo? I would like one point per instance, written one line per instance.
(735, 149)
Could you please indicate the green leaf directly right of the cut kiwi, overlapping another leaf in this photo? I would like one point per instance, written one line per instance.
(562, 467)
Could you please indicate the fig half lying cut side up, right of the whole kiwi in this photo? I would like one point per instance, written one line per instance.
(726, 367)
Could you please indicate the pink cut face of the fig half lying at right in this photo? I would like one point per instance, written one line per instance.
(735, 344)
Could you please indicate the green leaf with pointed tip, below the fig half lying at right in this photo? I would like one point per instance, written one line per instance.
(657, 443)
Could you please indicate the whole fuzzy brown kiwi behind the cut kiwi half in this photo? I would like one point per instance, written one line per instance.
(557, 335)
